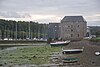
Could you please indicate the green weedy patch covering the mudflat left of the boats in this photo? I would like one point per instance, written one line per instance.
(28, 55)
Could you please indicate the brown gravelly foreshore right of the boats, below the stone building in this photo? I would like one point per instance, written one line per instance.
(87, 57)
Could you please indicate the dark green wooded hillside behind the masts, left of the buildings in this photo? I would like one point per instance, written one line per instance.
(22, 29)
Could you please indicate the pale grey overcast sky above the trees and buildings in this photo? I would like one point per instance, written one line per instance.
(50, 10)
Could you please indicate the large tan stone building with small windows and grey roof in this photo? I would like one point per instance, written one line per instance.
(73, 28)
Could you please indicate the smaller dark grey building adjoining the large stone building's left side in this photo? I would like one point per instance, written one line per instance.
(53, 30)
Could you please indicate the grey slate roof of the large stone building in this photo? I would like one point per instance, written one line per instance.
(73, 19)
